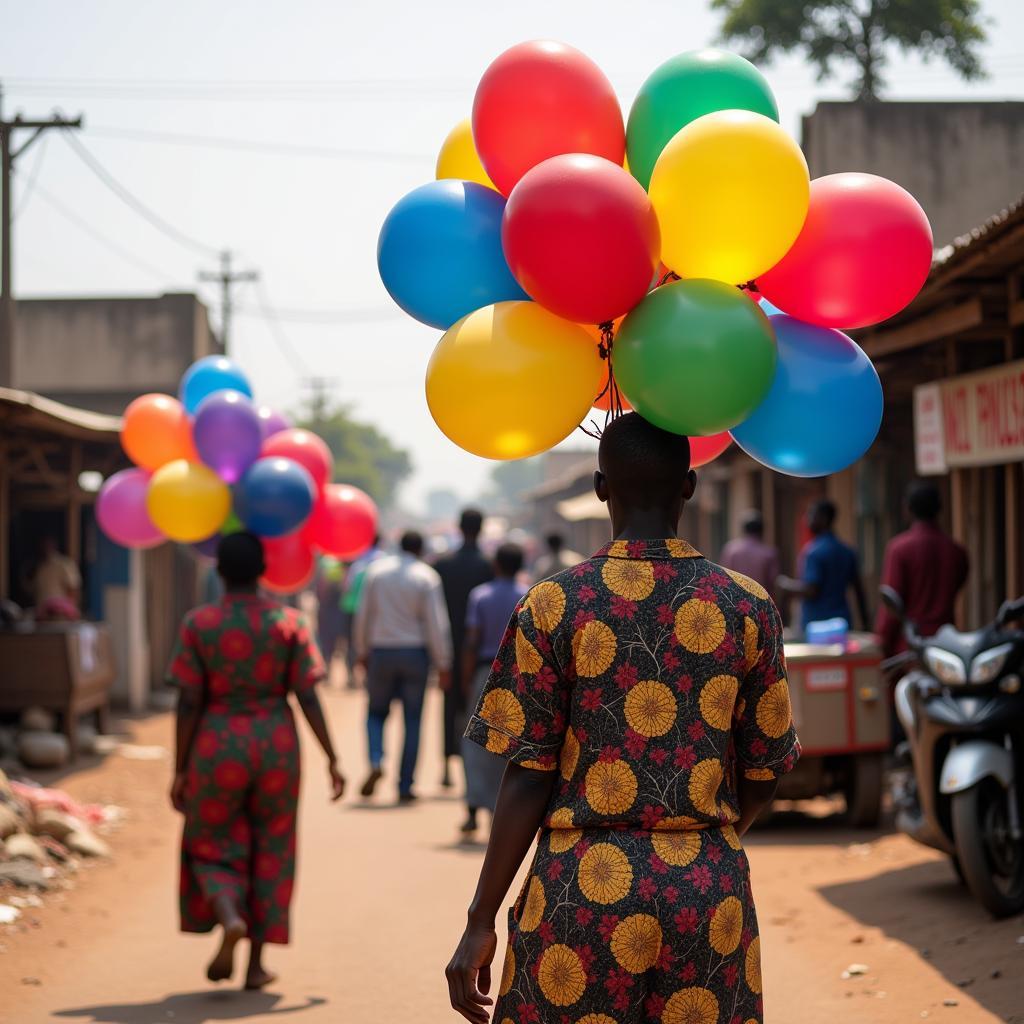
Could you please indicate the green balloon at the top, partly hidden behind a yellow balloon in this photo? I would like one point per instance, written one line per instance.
(686, 89)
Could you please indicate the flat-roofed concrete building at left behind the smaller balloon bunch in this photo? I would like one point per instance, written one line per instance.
(100, 354)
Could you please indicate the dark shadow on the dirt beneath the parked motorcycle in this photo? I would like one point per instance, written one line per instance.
(925, 908)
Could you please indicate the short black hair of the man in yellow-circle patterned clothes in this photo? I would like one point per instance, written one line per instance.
(643, 463)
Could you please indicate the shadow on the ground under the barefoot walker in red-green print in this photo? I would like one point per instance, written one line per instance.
(192, 1008)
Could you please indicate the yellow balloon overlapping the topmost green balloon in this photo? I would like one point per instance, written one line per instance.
(732, 192)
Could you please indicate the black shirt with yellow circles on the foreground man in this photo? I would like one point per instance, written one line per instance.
(649, 677)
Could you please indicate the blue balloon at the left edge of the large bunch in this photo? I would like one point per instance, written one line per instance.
(440, 252)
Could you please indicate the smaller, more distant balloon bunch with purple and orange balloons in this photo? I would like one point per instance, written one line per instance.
(211, 462)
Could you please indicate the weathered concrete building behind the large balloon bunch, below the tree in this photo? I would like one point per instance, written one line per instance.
(960, 160)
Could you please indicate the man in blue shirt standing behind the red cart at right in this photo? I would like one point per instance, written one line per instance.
(829, 569)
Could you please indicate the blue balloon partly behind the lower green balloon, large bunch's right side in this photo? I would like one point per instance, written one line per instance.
(825, 407)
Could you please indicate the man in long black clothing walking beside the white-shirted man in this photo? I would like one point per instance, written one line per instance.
(460, 573)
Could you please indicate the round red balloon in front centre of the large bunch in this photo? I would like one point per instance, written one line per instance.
(581, 237)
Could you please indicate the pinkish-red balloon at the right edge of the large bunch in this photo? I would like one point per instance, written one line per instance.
(864, 254)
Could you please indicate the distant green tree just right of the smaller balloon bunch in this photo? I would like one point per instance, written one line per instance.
(363, 456)
